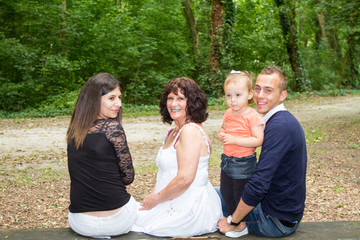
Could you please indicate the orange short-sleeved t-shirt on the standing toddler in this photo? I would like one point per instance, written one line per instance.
(240, 126)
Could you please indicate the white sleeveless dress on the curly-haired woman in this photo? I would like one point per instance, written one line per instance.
(196, 212)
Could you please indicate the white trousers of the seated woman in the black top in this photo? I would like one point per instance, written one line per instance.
(105, 227)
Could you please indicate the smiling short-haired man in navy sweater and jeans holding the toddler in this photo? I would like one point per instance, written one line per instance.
(274, 197)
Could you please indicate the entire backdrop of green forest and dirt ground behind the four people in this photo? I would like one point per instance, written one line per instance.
(49, 48)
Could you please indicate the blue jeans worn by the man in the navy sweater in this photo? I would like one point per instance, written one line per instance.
(264, 225)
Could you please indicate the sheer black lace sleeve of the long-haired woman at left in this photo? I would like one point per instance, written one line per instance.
(116, 135)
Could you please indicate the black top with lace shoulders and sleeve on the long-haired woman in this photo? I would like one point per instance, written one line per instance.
(100, 169)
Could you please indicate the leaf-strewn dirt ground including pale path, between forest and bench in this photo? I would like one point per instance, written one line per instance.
(34, 183)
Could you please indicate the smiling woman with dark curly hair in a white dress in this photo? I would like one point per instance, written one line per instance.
(183, 201)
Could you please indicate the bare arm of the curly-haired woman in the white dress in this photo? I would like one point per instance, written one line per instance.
(188, 150)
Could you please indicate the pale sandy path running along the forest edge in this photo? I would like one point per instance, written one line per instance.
(22, 137)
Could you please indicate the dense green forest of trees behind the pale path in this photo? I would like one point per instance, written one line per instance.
(49, 48)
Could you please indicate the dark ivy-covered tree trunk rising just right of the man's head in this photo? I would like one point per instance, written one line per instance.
(287, 19)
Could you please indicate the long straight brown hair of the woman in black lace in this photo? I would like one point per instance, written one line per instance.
(87, 107)
